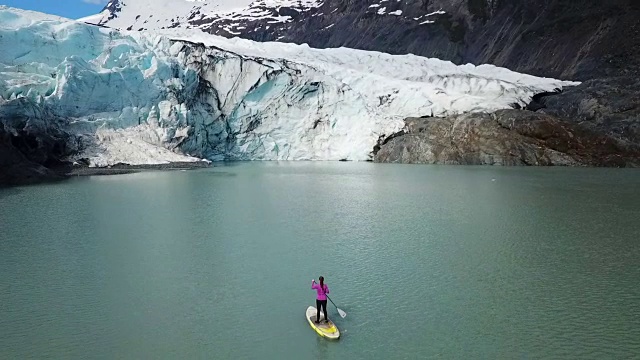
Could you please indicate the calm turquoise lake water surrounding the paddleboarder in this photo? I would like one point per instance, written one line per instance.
(427, 261)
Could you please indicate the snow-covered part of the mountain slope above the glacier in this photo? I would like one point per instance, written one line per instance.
(298, 21)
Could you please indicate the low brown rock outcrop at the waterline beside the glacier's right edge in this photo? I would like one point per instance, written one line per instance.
(505, 137)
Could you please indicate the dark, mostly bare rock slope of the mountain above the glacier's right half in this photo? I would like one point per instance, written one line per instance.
(556, 38)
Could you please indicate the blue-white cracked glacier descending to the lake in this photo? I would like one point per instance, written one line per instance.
(170, 95)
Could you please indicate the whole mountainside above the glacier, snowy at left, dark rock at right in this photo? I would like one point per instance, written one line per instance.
(555, 38)
